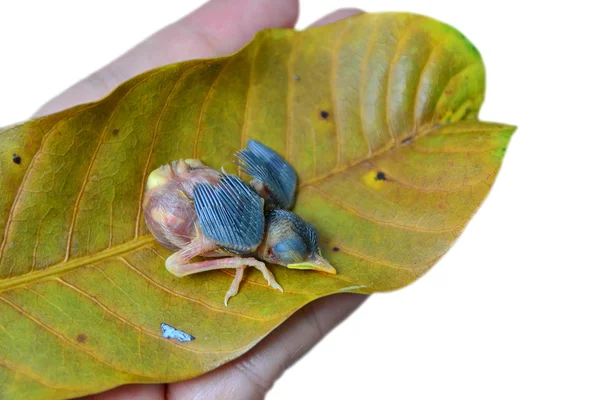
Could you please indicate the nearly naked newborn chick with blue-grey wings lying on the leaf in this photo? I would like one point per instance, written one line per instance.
(198, 211)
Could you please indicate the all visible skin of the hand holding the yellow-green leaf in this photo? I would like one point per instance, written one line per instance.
(219, 28)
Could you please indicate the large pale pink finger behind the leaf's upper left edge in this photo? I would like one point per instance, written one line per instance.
(218, 28)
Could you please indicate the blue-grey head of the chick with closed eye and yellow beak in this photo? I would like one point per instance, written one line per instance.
(292, 242)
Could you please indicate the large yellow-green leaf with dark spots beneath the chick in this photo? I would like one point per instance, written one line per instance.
(377, 113)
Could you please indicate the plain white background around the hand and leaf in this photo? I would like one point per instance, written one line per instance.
(512, 311)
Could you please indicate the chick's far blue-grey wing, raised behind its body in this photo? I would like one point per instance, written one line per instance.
(268, 167)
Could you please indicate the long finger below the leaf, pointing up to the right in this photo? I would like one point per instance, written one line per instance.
(253, 374)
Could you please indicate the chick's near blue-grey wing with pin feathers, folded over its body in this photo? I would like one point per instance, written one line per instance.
(230, 214)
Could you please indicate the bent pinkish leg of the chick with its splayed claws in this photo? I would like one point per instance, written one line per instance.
(178, 264)
